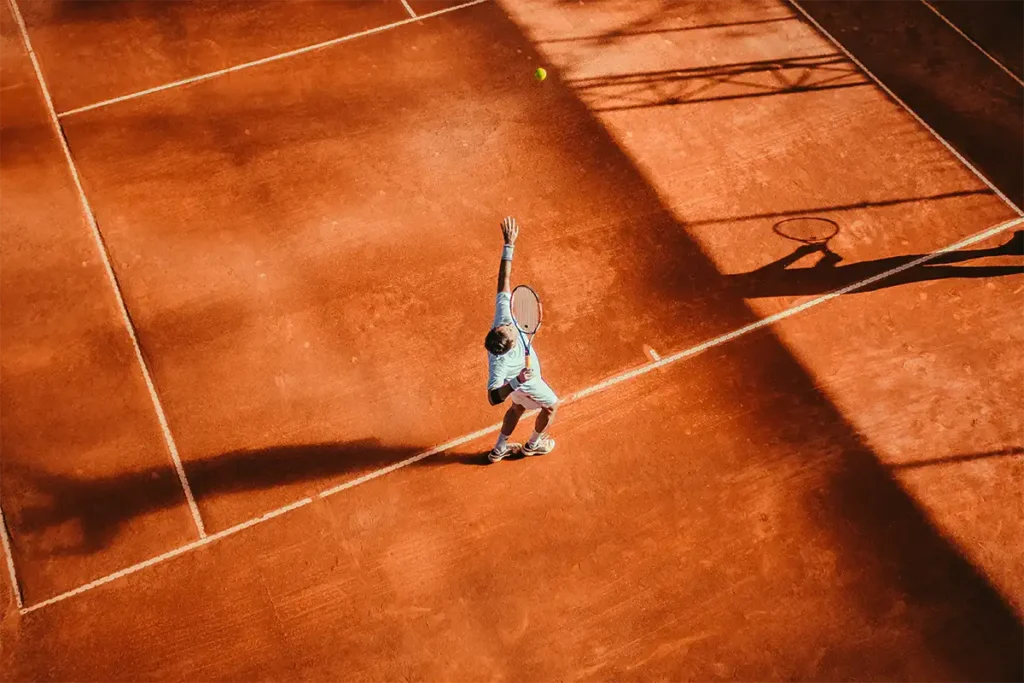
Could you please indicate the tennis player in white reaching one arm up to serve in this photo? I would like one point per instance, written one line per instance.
(509, 376)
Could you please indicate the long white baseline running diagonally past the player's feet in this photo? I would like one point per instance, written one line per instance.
(619, 379)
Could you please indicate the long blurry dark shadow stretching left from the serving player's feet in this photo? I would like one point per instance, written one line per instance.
(91, 513)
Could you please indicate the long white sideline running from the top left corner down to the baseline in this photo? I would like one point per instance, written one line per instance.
(112, 277)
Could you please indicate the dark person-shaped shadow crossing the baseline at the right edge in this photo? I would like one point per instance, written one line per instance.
(830, 273)
